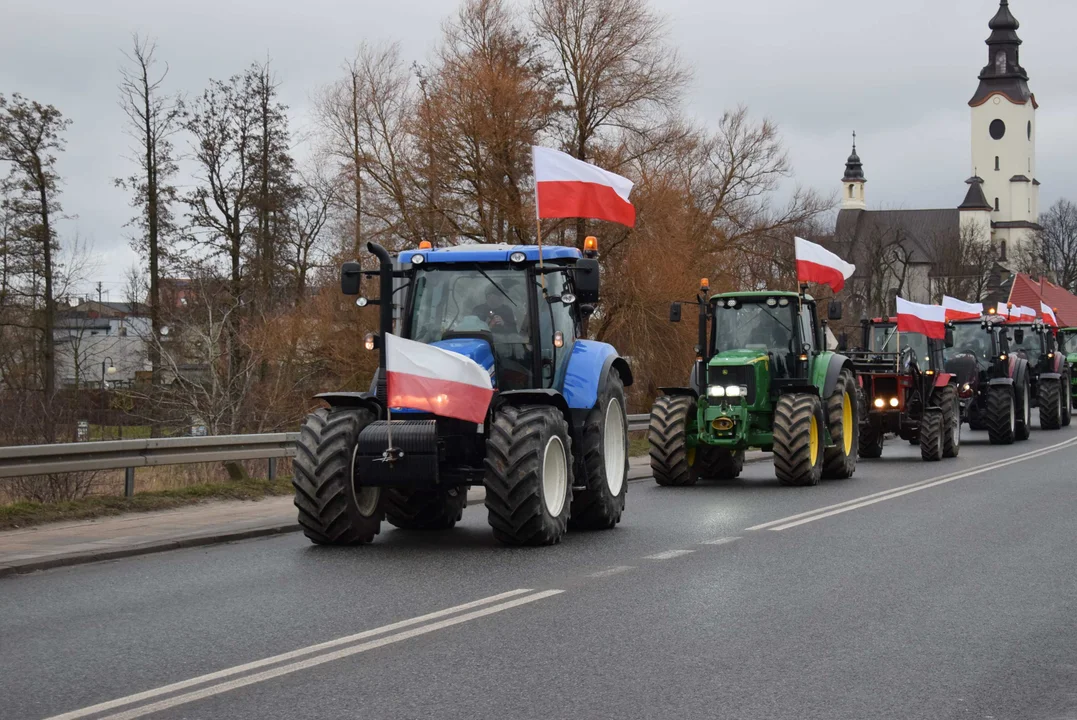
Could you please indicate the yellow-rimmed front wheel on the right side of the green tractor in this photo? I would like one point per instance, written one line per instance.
(799, 440)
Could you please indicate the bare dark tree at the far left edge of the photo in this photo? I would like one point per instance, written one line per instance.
(31, 138)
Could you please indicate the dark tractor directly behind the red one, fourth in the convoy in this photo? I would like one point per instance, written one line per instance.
(995, 385)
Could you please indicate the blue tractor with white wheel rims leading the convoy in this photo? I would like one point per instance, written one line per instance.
(553, 450)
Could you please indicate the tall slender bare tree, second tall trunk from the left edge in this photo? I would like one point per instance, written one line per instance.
(153, 119)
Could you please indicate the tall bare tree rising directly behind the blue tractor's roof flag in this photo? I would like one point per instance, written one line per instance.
(617, 69)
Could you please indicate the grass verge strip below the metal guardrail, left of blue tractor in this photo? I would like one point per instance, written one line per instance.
(23, 515)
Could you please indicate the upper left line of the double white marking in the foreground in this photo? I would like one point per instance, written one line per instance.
(164, 690)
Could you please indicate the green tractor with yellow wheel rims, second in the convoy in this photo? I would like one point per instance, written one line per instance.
(763, 379)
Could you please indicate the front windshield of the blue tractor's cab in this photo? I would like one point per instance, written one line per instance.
(461, 300)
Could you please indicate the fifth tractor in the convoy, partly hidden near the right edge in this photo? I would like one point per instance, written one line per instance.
(1048, 372)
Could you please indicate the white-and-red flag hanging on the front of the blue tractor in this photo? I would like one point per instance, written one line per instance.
(426, 378)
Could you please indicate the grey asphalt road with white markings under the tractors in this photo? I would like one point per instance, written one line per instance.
(914, 590)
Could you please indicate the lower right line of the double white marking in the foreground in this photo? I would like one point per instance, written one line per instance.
(319, 660)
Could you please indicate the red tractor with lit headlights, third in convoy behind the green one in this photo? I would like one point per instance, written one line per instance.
(906, 391)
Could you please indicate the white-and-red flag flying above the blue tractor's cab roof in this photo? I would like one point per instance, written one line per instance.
(568, 188)
